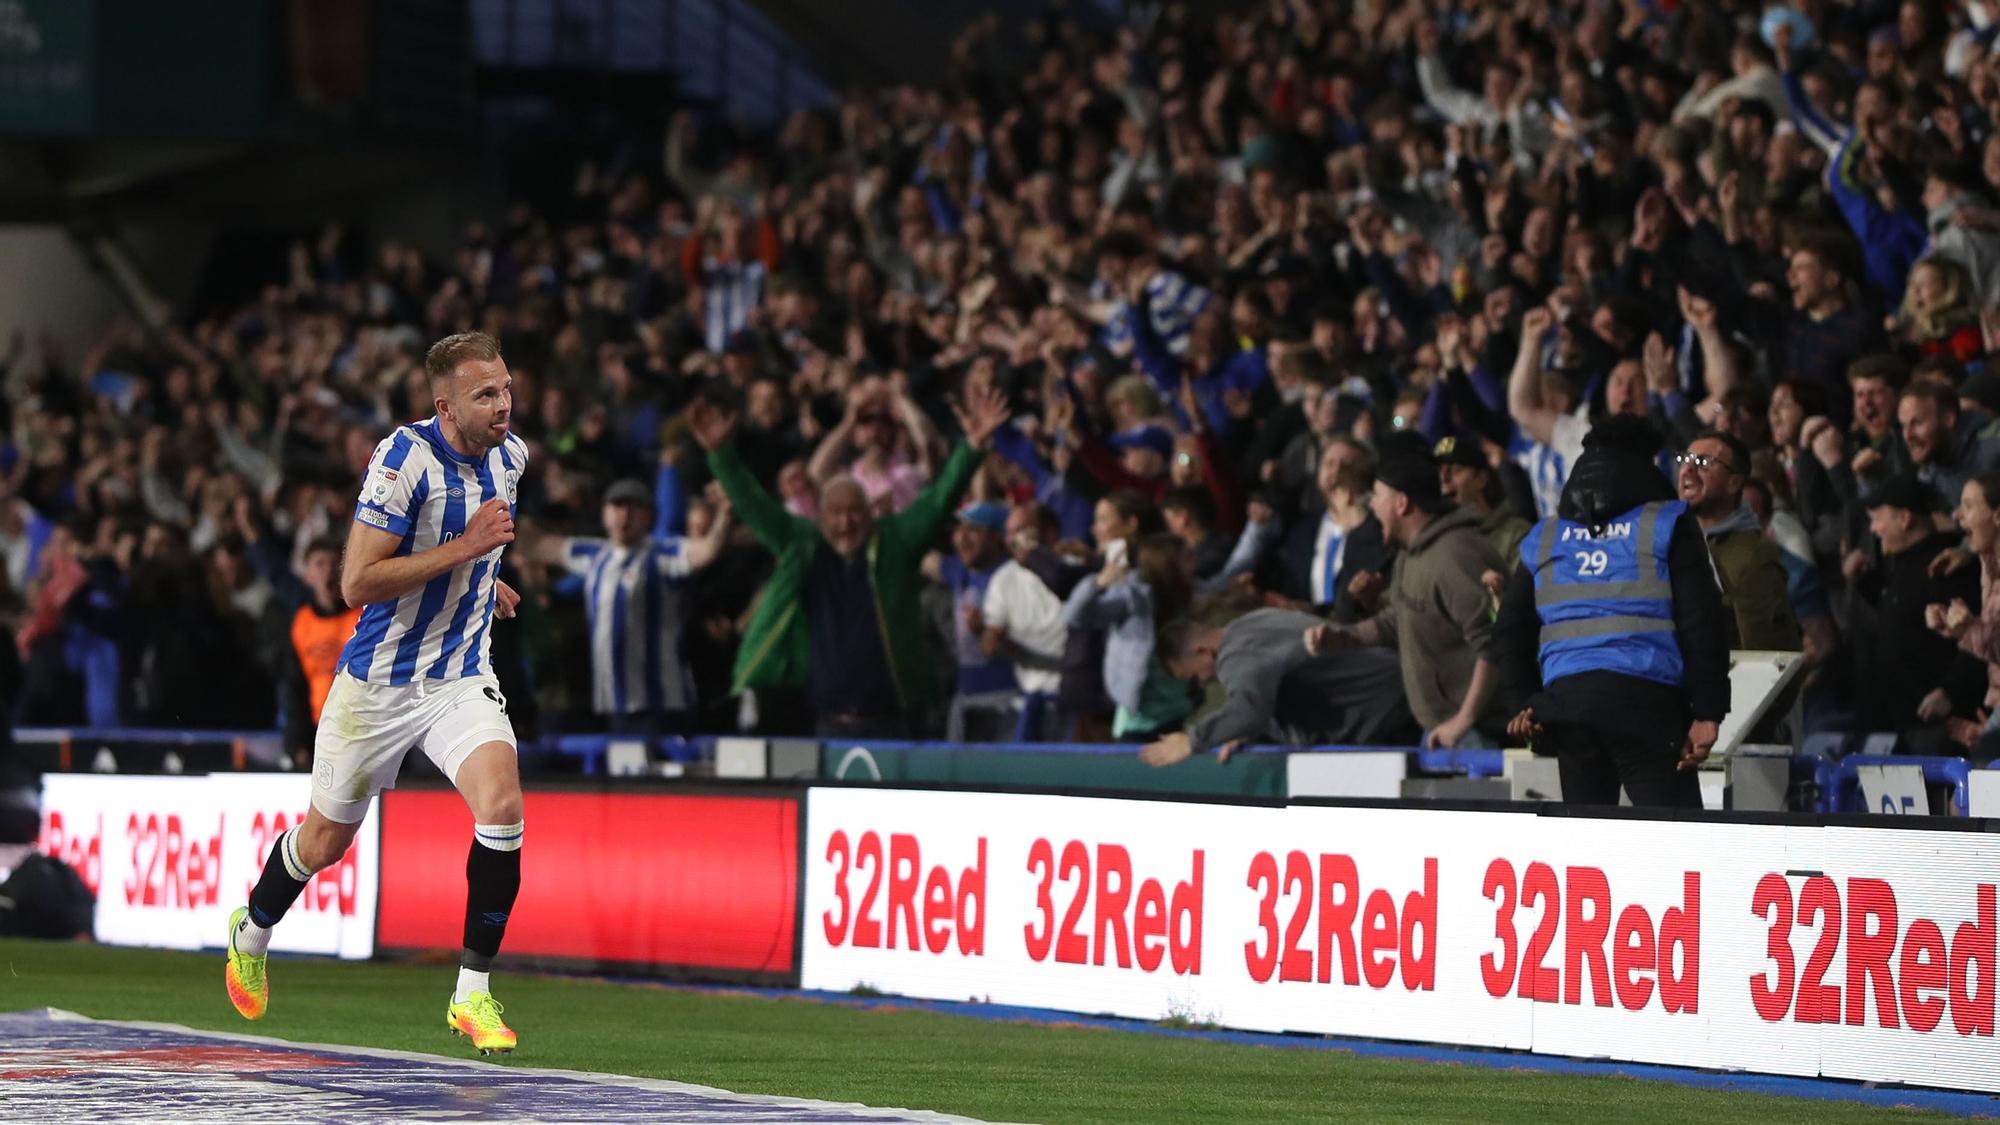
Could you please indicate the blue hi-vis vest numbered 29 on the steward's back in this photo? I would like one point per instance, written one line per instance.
(1605, 600)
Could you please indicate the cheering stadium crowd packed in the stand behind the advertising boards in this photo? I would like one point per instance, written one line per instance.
(1305, 309)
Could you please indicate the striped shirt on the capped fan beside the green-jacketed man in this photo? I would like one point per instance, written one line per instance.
(637, 622)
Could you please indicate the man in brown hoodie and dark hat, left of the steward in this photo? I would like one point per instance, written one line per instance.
(1437, 612)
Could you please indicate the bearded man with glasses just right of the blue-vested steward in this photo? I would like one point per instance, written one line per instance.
(1711, 481)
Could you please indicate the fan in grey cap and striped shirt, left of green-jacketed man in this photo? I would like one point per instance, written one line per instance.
(637, 608)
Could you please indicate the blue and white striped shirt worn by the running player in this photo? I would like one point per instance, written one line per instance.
(425, 491)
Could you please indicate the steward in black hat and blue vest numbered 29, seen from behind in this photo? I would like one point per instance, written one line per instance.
(1613, 640)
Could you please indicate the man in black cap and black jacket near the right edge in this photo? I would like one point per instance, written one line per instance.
(1915, 680)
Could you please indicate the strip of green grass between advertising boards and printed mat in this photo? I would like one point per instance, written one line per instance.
(919, 1060)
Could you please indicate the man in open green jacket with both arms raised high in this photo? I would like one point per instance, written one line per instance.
(841, 612)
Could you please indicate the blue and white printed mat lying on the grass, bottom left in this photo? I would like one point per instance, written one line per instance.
(59, 1068)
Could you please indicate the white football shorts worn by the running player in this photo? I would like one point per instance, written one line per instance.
(367, 730)
